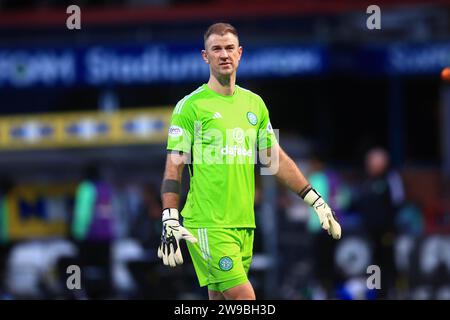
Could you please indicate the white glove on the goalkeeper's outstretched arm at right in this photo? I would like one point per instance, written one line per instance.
(326, 215)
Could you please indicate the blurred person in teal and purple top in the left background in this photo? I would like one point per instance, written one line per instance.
(93, 229)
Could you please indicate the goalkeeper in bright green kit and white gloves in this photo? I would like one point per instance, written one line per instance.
(216, 130)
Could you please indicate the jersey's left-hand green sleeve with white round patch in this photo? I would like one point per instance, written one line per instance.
(181, 129)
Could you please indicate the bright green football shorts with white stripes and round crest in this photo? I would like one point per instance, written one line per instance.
(221, 257)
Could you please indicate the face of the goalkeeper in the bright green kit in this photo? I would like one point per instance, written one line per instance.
(222, 53)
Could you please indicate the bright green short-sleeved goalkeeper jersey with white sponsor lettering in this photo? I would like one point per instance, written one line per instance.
(222, 134)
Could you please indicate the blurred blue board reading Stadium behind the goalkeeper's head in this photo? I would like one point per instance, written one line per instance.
(143, 64)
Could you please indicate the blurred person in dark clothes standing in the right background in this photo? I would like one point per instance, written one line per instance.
(379, 198)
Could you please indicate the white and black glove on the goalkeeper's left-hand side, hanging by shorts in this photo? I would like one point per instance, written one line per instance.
(169, 249)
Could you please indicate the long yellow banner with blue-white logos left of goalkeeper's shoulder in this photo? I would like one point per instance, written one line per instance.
(85, 129)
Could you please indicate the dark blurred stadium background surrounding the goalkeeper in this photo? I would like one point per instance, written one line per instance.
(93, 105)
